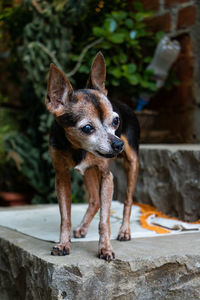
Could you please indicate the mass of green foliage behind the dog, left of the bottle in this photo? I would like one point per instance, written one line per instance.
(68, 33)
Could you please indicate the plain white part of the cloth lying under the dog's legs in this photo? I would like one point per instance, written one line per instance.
(31, 219)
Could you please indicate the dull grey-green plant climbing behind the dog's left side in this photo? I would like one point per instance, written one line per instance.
(27, 148)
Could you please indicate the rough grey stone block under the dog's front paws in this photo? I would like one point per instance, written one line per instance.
(166, 267)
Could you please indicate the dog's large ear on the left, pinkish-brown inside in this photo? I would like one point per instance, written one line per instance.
(58, 91)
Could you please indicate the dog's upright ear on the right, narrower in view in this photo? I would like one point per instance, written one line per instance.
(97, 76)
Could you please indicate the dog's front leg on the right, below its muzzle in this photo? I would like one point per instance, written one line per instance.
(105, 249)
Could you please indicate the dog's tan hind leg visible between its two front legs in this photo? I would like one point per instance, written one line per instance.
(91, 179)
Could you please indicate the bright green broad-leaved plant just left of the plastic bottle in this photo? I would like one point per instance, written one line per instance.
(124, 40)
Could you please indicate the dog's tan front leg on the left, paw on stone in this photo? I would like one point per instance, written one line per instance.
(63, 191)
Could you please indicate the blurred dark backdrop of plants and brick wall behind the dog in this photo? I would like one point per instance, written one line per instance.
(34, 33)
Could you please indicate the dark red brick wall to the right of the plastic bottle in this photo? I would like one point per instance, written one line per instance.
(180, 19)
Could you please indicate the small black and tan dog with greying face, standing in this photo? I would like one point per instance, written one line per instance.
(88, 132)
